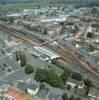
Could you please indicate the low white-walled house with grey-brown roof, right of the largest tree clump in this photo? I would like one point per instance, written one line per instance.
(73, 83)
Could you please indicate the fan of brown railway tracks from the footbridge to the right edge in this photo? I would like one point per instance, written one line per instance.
(67, 55)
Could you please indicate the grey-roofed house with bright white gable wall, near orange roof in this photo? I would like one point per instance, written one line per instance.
(29, 88)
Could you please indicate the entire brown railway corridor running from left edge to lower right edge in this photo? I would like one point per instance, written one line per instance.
(66, 53)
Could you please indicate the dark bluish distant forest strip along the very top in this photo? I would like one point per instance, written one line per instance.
(82, 2)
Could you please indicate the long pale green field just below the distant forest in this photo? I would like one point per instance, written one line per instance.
(32, 4)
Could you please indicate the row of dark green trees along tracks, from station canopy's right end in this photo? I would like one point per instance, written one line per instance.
(69, 74)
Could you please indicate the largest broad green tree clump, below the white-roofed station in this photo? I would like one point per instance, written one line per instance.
(50, 77)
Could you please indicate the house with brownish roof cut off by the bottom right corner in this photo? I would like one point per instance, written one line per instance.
(94, 94)
